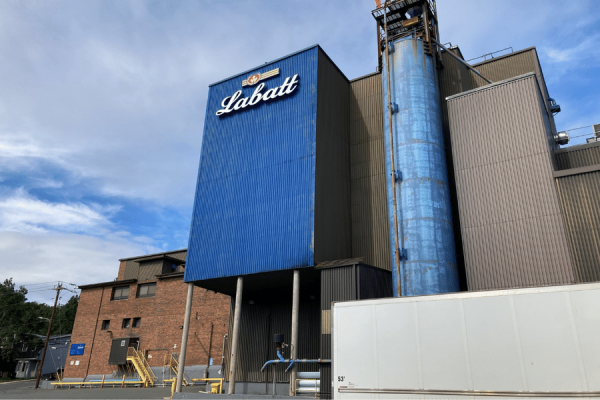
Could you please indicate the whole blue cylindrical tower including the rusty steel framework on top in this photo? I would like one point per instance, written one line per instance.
(421, 231)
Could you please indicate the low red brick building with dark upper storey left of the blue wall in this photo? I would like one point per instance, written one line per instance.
(144, 306)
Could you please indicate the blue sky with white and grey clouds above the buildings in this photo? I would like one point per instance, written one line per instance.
(102, 107)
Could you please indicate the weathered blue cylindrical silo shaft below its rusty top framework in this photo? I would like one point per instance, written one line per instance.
(423, 197)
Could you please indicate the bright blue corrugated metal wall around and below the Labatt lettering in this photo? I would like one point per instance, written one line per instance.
(254, 205)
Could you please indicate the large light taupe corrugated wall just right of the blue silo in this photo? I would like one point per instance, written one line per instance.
(512, 228)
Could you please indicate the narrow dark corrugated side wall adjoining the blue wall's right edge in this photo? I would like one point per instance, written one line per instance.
(333, 238)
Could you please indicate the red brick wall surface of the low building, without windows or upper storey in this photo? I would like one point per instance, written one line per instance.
(159, 333)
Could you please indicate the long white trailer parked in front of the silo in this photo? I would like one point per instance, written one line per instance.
(510, 344)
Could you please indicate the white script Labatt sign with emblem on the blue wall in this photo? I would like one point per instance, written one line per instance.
(236, 102)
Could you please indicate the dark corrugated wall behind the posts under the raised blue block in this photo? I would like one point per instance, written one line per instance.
(259, 323)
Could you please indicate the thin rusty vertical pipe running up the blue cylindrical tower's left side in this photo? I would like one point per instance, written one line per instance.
(393, 167)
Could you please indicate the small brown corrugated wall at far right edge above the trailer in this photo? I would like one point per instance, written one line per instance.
(580, 200)
